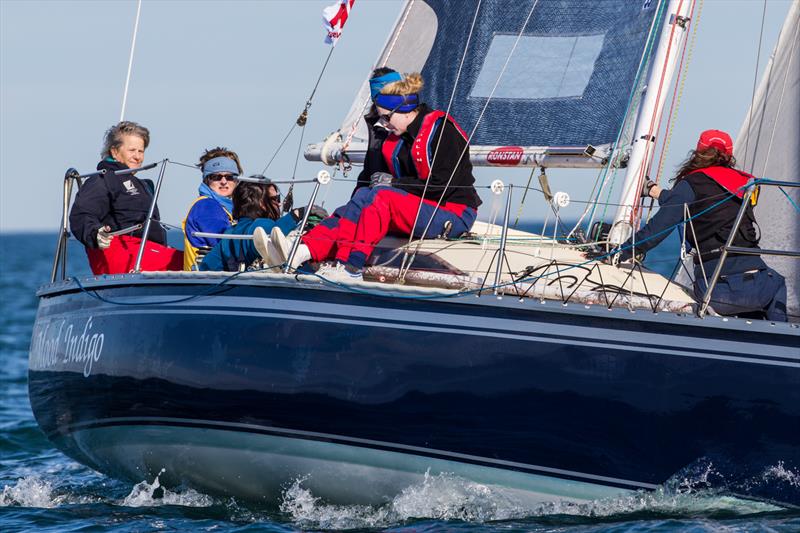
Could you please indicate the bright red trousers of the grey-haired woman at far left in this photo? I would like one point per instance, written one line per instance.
(120, 257)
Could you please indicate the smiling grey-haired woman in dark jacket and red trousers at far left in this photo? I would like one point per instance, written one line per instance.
(112, 202)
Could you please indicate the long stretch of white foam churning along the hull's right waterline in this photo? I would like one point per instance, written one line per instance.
(449, 497)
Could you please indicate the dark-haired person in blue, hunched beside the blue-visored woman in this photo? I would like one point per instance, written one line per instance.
(256, 208)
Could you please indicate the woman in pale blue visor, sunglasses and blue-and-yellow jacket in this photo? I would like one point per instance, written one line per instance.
(212, 211)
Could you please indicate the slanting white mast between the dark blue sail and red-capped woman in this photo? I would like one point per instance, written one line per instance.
(662, 70)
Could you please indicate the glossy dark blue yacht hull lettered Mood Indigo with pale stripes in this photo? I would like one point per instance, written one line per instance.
(581, 395)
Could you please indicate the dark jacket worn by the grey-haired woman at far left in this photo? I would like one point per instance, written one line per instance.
(115, 201)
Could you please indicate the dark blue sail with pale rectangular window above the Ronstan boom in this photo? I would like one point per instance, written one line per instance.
(567, 83)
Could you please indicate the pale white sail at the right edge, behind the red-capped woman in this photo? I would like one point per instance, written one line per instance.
(768, 146)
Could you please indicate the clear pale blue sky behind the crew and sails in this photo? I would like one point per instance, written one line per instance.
(237, 73)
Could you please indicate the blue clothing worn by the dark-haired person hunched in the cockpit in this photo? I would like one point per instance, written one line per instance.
(227, 254)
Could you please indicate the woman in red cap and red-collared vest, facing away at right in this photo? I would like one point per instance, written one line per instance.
(746, 287)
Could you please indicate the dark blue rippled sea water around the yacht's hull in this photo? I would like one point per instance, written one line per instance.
(43, 490)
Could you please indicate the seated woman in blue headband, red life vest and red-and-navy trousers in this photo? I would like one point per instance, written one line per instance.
(430, 174)
